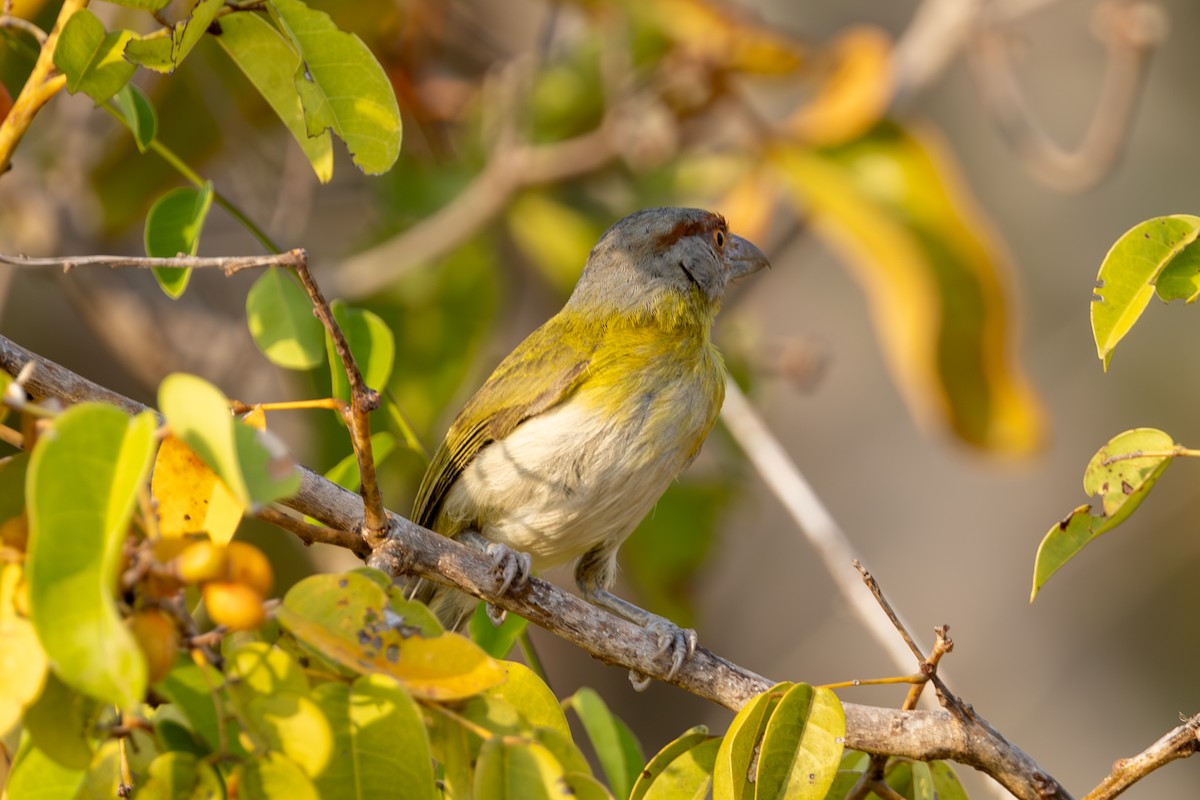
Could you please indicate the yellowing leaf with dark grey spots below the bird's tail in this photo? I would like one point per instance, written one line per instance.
(347, 619)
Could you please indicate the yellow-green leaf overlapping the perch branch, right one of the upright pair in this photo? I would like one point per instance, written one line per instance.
(802, 745)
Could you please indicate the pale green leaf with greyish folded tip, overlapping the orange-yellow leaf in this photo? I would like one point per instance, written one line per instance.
(253, 466)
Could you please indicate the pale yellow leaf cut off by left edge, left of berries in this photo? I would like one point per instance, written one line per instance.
(22, 659)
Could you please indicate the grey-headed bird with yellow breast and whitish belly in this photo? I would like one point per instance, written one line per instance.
(580, 430)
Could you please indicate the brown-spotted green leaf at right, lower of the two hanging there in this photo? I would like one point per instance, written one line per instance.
(1121, 474)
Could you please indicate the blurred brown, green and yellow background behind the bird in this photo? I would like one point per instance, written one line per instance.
(921, 348)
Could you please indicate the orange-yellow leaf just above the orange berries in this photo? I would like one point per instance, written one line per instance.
(191, 498)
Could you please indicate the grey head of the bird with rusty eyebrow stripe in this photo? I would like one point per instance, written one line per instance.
(668, 264)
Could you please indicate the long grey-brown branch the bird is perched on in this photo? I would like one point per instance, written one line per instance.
(957, 735)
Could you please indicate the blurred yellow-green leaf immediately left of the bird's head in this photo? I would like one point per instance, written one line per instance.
(556, 238)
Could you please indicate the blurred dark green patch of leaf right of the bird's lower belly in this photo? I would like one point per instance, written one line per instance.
(674, 543)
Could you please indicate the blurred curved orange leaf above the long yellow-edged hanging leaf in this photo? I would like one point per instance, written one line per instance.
(855, 94)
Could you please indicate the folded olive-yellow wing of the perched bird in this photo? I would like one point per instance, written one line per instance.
(554, 359)
